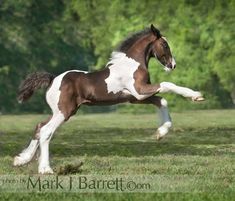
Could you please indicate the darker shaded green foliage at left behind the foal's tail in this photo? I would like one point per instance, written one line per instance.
(36, 36)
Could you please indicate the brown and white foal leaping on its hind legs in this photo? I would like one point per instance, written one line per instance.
(124, 79)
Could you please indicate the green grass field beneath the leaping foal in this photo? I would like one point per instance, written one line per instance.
(201, 144)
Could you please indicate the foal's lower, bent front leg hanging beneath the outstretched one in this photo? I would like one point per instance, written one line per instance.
(161, 103)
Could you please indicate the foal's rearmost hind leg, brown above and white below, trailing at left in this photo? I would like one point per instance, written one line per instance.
(27, 154)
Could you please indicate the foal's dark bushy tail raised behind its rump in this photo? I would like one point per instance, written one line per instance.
(33, 82)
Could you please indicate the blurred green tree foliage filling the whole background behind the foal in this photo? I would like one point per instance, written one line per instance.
(59, 35)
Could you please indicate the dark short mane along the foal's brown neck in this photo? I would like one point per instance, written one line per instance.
(127, 43)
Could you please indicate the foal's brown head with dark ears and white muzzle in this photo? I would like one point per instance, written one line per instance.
(161, 50)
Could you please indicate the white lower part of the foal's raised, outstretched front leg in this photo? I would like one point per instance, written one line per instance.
(183, 91)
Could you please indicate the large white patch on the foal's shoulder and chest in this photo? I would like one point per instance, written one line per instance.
(121, 77)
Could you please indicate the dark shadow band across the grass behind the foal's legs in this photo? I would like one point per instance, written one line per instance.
(131, 142)
